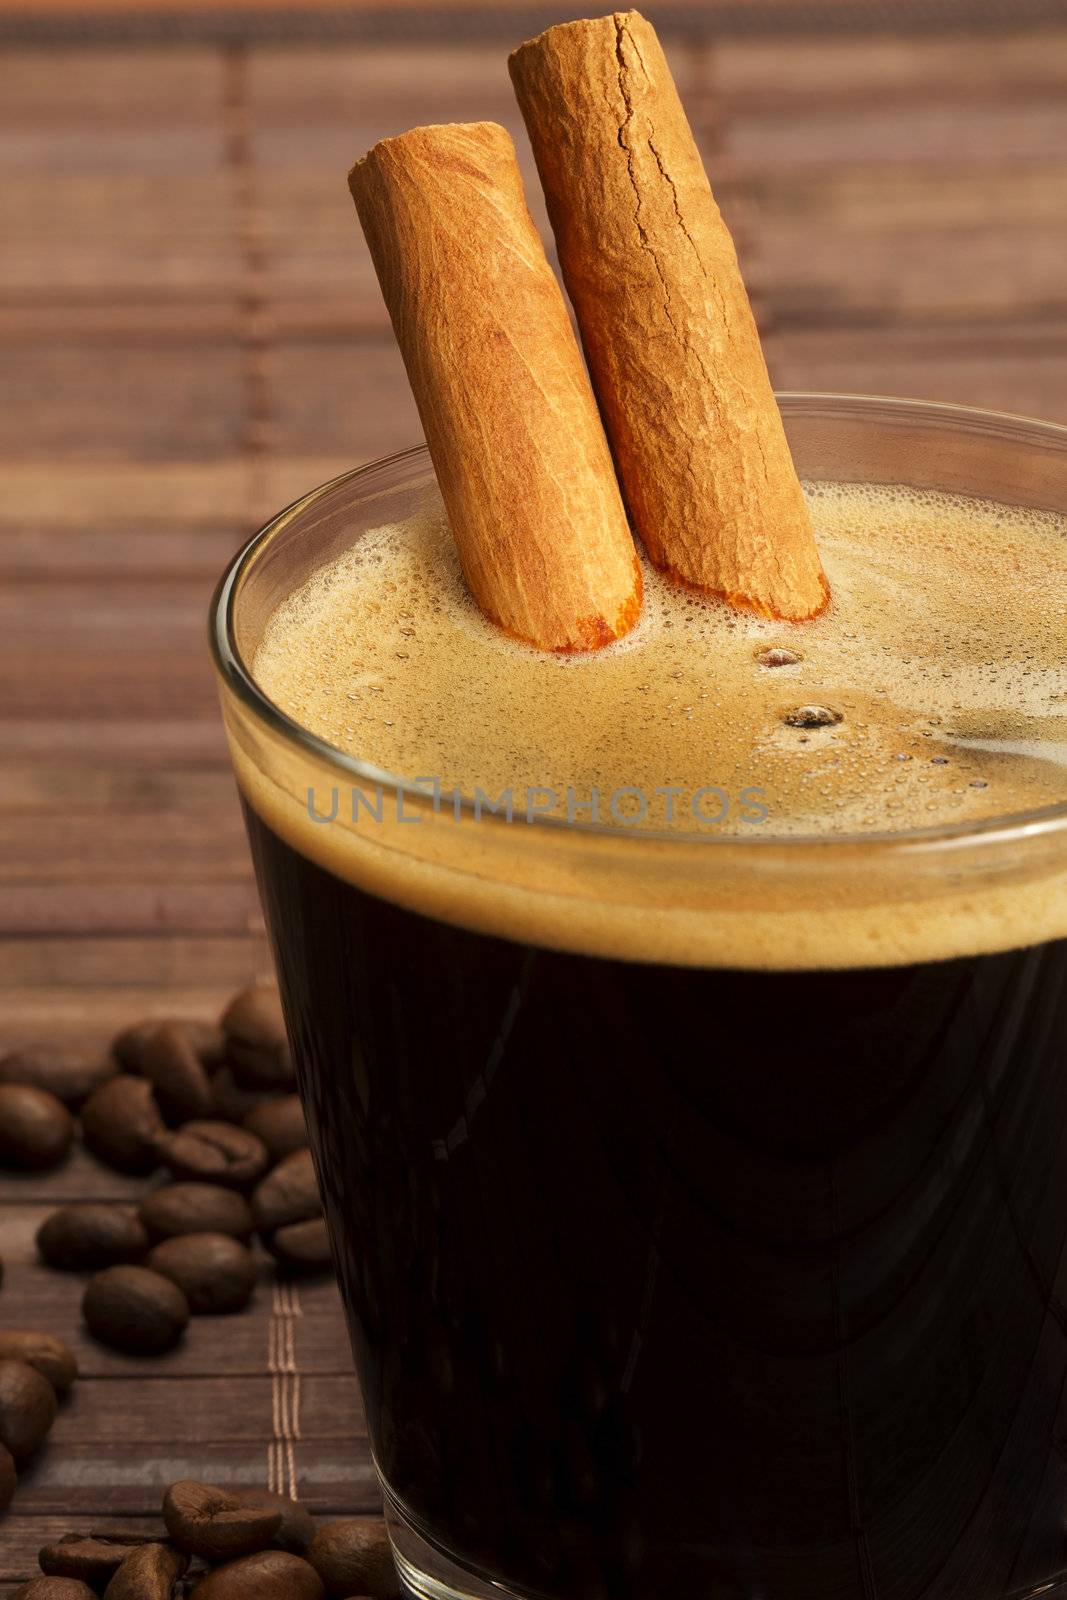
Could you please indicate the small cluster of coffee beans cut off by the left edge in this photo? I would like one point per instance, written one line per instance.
(36, 1372)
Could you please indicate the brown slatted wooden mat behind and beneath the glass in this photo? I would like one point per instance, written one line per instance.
(191, 335)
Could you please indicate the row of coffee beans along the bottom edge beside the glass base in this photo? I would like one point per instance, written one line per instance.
(223, 1545)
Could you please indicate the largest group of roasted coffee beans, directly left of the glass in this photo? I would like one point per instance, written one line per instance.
(210, 1108)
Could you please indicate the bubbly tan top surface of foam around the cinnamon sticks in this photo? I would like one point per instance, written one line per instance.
(945, 657)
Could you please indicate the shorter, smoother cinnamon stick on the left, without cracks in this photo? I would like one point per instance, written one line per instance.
(511, 420)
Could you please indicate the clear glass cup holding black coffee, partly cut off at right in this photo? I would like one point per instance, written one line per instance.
(735, 1273)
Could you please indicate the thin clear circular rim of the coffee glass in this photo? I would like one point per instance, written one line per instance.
(239, 681)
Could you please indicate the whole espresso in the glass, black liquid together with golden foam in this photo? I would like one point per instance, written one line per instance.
(701, 1223)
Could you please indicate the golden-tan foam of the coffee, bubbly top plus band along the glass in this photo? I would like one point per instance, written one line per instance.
(933, 692)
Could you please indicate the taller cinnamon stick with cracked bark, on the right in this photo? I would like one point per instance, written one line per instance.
(665, 318)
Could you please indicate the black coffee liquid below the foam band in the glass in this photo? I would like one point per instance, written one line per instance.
(674, 1281)
